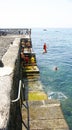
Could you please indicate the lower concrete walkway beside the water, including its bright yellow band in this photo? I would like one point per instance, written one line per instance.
(44, 114)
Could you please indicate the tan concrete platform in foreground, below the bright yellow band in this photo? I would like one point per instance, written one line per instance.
(44, 115)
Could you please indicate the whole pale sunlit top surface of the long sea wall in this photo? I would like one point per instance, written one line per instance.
(6, 77)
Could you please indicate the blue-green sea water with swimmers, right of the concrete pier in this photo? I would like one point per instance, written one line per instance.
(57, 84)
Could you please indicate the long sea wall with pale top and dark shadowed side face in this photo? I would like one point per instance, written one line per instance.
(10, 118)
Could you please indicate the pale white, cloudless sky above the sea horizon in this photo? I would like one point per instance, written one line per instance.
(35, 13)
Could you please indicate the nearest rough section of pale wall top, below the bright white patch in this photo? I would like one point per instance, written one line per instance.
(5, 88)
